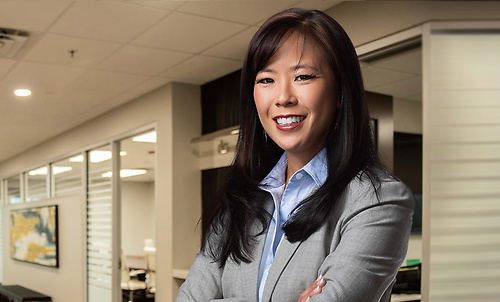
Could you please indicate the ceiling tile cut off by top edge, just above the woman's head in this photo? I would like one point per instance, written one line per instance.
(247, 12)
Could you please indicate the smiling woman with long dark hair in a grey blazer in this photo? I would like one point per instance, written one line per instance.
(308, 212)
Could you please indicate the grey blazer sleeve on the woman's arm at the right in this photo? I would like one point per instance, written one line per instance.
(374, 230)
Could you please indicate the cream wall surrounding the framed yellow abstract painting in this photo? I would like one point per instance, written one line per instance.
(66, 282)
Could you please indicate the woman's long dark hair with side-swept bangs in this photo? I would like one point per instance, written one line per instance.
(349, 145)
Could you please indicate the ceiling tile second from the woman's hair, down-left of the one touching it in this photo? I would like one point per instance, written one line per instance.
(140, 60)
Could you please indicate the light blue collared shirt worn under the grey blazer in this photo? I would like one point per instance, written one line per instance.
(286, 198)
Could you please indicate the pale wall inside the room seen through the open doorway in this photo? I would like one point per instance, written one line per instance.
(138, 212)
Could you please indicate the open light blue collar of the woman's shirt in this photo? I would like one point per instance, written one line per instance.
(316, 168)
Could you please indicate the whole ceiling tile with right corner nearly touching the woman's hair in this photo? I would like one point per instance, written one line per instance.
(186, 33)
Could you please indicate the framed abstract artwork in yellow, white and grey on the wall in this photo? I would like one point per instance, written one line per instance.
(33, 235)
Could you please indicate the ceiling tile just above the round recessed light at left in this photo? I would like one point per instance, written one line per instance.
(41, 78)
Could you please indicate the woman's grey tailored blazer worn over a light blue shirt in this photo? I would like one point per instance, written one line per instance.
(358, 251)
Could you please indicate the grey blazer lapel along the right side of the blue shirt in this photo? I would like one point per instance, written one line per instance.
(284, 253)
